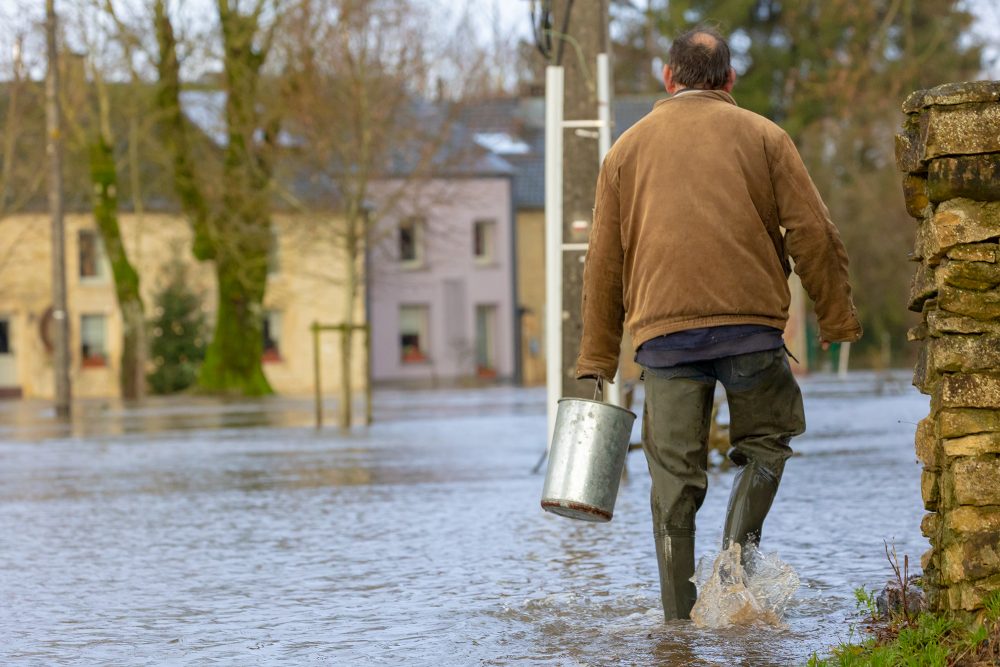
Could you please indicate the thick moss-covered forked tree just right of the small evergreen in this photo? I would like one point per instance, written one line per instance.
(232, 225)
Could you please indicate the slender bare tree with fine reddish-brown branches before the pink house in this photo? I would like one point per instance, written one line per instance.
(374, 108)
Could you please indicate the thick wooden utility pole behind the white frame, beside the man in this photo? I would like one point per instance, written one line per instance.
(585, 24)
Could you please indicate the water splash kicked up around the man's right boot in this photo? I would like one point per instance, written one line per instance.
(729, 595)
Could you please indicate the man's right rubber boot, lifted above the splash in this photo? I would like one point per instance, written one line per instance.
(753, 492)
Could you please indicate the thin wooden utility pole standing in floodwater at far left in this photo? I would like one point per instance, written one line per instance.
(53, 146)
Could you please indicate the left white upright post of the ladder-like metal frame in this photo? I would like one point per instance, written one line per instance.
(553, 240)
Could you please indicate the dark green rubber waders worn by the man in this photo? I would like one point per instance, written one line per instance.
(765, 412)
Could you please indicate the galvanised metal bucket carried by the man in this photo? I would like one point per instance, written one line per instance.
(586, 459)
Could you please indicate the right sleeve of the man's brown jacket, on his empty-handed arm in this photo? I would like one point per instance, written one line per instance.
(814, 245)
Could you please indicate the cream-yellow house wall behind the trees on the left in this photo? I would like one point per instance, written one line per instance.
(302, 288)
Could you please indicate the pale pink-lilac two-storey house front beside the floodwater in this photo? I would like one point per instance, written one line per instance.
(442, 280)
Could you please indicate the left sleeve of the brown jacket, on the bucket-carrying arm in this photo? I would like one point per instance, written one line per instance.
(603, 308)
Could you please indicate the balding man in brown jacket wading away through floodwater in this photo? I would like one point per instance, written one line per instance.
(700, 205)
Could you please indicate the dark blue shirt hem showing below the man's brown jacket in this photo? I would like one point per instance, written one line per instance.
(685, 347)
